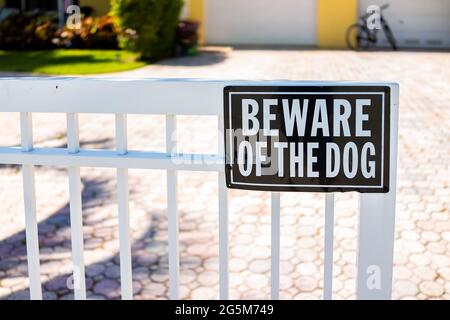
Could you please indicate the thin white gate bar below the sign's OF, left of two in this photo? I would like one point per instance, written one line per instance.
(275, 245)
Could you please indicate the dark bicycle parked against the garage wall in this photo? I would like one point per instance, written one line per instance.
(367, 38)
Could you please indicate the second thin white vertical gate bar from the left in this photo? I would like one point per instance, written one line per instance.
(76, 213)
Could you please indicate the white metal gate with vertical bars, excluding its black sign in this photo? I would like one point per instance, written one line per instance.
(171, 98)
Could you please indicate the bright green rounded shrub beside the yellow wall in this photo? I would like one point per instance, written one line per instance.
(147, 26)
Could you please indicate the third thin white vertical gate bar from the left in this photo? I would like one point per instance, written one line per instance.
(126, 277)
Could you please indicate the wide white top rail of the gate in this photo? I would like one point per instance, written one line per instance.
(127, 96)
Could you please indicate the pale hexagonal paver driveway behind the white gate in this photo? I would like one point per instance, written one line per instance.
(422, 247)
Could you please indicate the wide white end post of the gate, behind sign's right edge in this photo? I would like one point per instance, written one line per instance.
(377, 227)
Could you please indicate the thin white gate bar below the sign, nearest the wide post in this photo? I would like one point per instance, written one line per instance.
(328, 251)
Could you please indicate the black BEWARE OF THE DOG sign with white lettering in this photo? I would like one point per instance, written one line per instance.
(312, 138)
